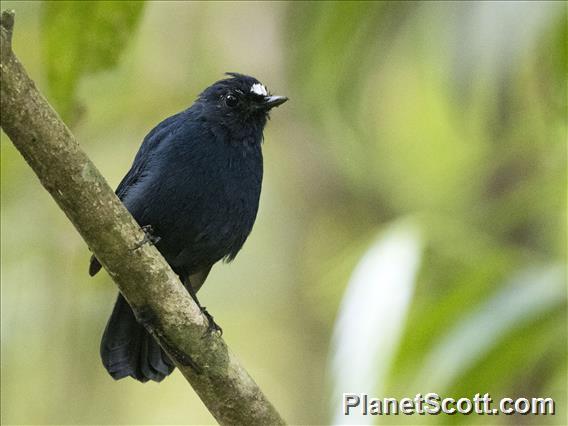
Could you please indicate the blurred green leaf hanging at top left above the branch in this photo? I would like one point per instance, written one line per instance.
(80, 38)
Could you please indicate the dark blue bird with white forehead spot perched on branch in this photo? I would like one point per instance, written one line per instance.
(194, 187)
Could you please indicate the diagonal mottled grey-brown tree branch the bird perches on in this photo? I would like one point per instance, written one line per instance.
(153, 290)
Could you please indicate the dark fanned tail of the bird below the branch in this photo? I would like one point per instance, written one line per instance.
(127, 349)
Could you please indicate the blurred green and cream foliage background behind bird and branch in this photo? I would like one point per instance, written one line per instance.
(412, 229)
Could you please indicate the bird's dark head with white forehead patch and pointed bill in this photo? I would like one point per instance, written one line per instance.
(239, 101)
